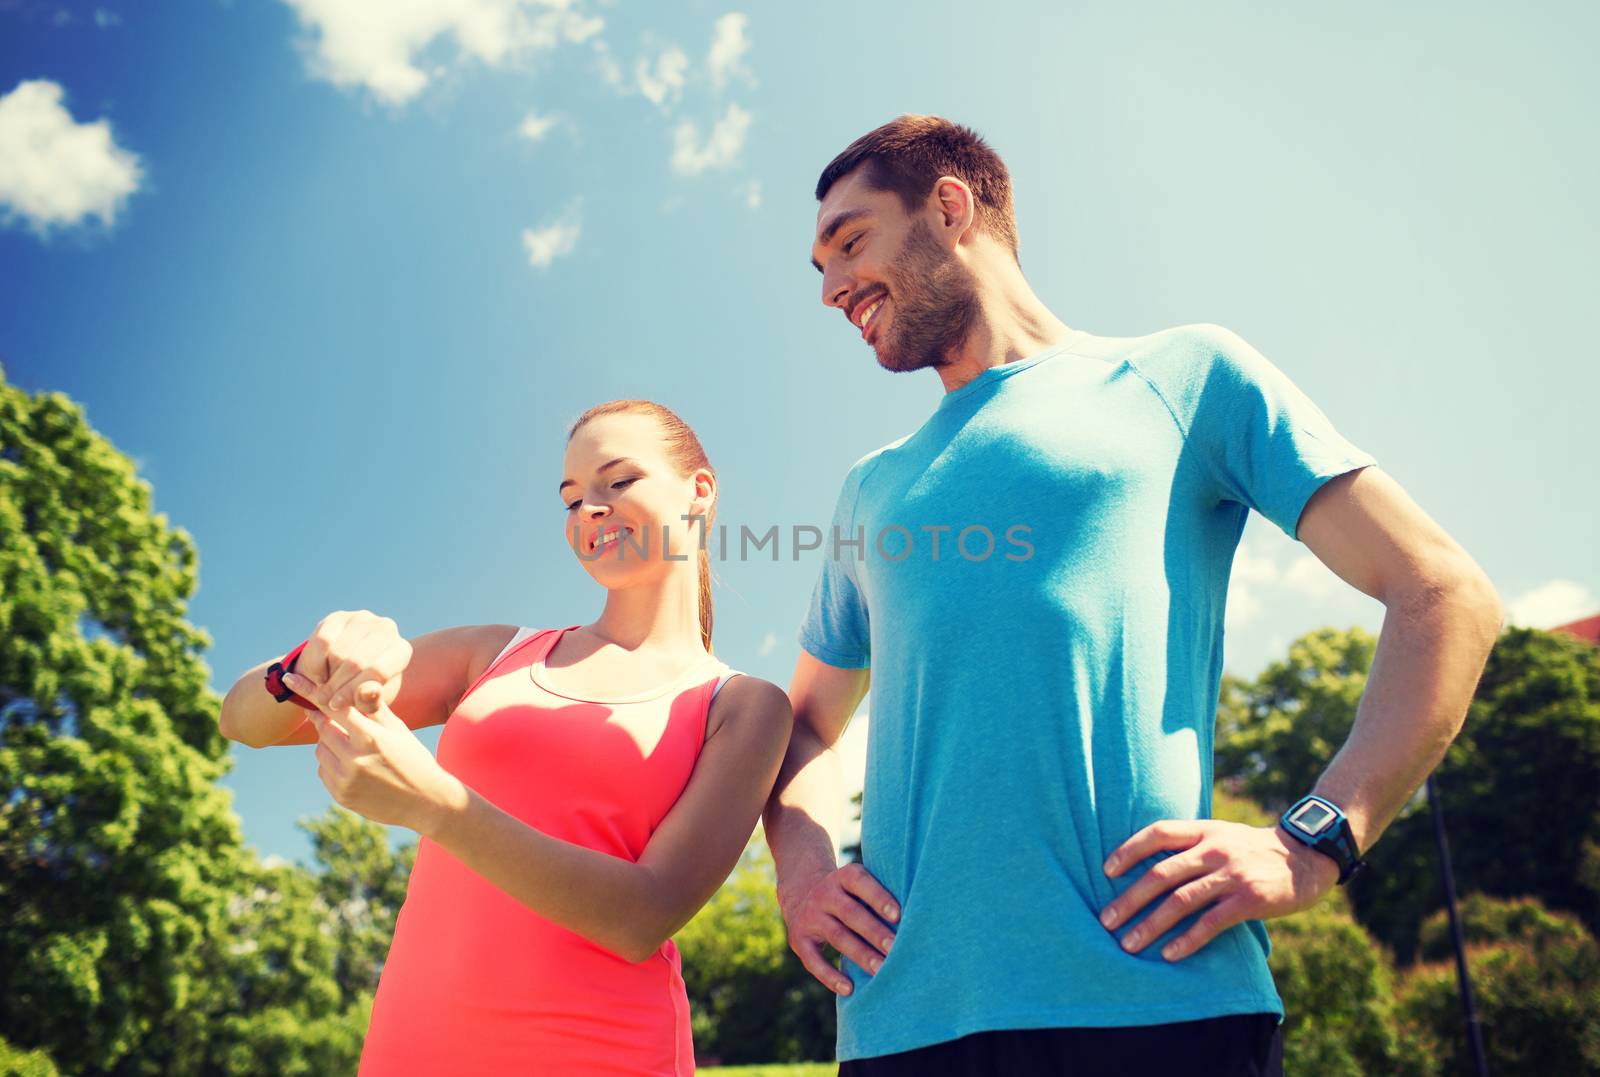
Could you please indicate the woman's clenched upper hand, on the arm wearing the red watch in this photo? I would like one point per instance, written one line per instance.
(354, 659)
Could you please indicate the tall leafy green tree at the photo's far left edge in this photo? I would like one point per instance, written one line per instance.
(118, 849)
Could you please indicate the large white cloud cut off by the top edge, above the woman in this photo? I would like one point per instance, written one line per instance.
(377, 47)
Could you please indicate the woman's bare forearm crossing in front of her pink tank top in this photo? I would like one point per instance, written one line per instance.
(607, 900)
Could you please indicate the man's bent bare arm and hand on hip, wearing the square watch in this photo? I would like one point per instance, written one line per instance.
(1441, 622)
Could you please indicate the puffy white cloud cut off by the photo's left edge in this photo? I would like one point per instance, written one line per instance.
(55, 170)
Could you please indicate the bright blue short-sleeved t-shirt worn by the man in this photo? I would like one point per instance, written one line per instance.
(1038, 580)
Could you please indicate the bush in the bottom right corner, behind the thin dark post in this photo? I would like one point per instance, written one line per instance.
(1537, 985)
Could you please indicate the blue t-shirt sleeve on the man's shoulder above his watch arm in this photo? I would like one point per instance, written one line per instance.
(1250, 431)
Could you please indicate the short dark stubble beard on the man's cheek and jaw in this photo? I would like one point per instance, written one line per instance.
(935, 305)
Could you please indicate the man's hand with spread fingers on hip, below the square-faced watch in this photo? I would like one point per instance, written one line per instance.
(1233, 871)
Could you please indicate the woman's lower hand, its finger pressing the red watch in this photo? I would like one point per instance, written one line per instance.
(375, 766)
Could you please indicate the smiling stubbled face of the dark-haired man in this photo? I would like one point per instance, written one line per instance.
(908, 295)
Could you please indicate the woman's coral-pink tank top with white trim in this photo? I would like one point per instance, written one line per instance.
(478, 983)
